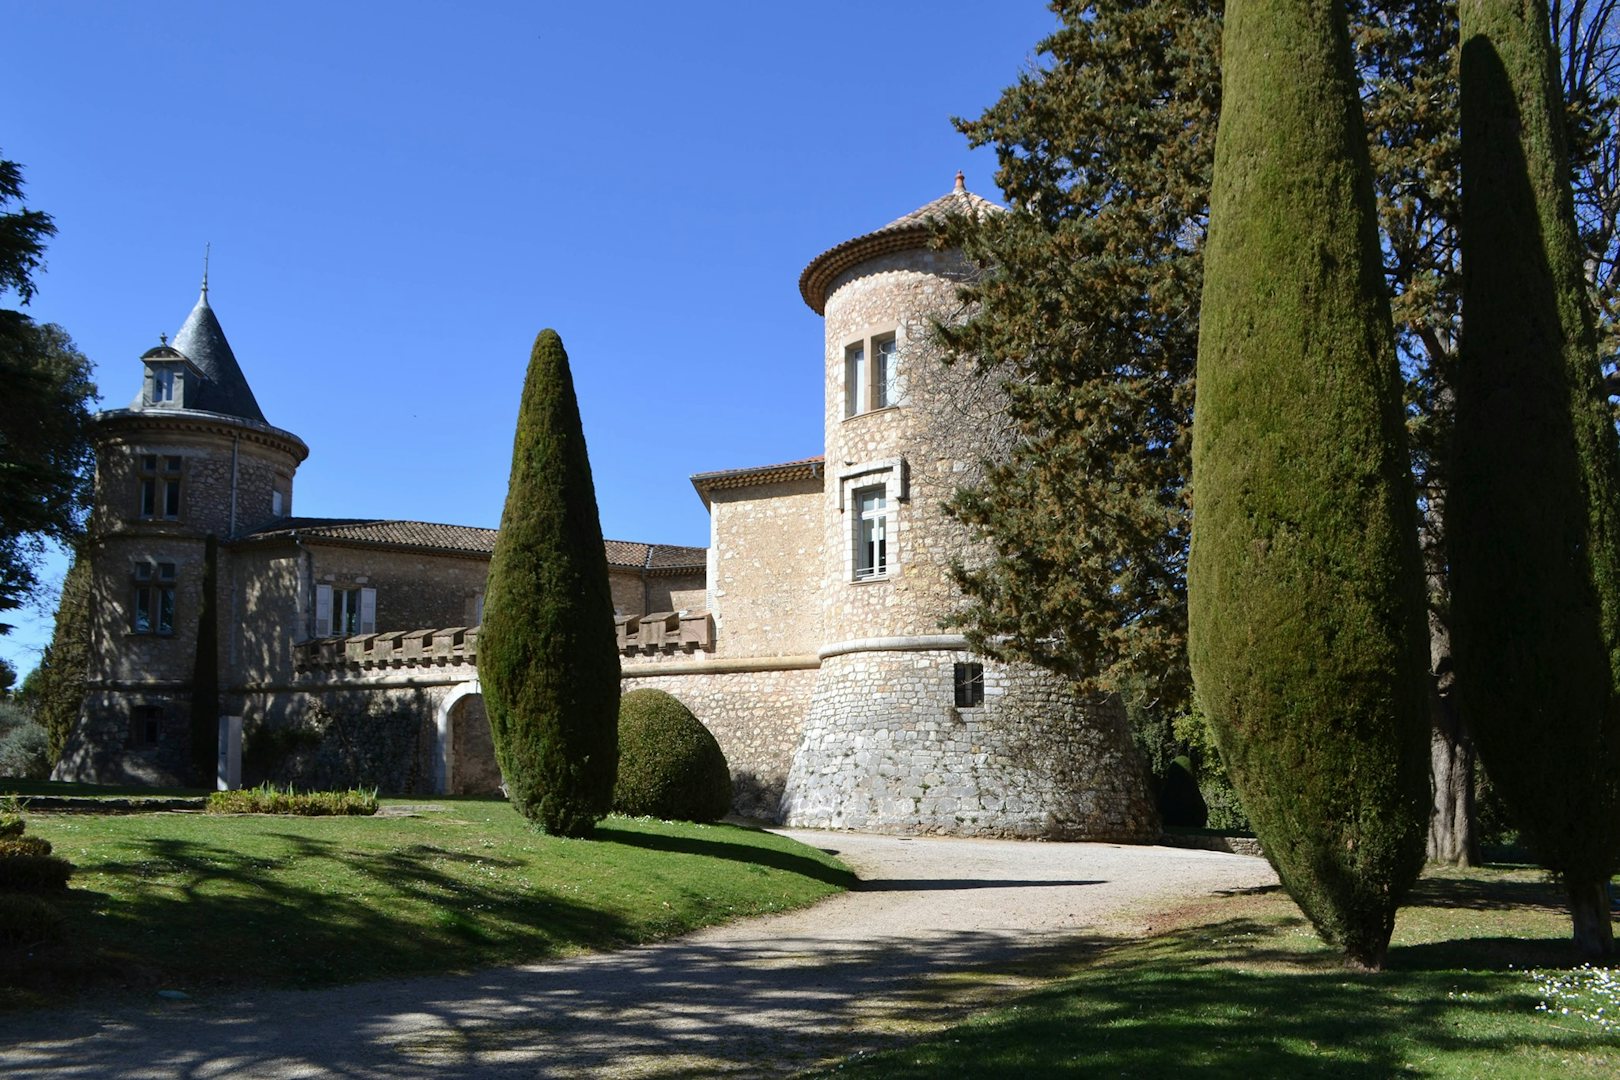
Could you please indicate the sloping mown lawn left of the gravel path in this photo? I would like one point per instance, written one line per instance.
(187, 901)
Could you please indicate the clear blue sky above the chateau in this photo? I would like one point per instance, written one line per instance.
(401, 195)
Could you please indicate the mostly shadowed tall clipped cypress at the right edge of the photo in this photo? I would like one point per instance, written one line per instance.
(1537, 475)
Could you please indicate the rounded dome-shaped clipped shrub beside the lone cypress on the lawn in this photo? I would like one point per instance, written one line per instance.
(670, 767)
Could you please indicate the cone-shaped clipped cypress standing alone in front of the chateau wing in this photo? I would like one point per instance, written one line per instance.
(548, 658)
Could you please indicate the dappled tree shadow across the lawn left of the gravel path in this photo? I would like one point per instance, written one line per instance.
(218, 917)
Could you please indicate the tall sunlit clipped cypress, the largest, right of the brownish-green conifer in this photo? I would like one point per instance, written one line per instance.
(1307, 610)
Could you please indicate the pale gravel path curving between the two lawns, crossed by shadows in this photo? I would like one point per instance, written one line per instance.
(937, 927)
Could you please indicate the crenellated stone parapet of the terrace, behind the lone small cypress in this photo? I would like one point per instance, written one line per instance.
(639, 636)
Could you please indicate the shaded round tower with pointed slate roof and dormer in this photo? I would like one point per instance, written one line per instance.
(192, 457)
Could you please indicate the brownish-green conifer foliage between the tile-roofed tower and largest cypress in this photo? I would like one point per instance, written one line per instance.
(1088, 307)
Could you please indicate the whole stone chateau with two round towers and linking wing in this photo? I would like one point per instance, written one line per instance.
(811, 636)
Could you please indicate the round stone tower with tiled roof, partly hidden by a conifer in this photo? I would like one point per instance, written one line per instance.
(908, 731)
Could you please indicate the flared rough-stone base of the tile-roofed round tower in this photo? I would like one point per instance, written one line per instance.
(887, 750)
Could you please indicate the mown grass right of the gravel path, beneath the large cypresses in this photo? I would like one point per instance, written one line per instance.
(1481, 984)
